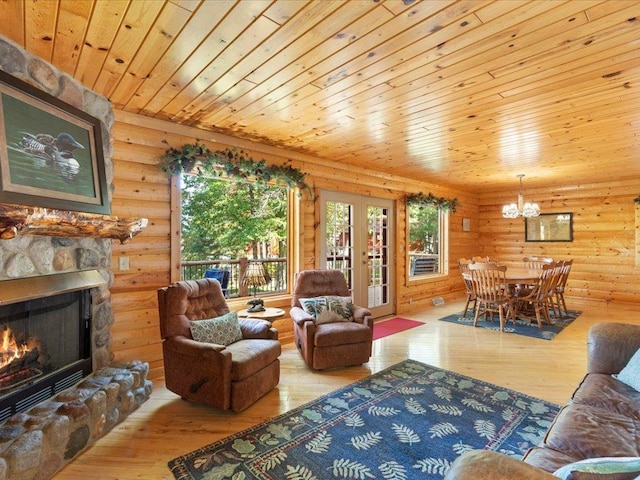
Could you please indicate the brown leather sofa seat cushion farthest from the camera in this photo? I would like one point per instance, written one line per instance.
(601, 390)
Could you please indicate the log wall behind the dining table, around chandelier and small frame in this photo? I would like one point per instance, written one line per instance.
(605, 237)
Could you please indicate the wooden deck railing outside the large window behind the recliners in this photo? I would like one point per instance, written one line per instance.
(277, 268)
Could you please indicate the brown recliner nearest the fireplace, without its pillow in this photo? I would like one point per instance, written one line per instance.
(232, 376)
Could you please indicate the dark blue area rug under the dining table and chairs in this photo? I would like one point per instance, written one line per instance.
(526, 327)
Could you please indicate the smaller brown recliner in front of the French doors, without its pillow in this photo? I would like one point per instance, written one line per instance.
(328, 345)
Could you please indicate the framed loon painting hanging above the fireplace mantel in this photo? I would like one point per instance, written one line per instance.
(51, 153)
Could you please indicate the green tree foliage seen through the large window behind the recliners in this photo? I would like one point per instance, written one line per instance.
(224, 219)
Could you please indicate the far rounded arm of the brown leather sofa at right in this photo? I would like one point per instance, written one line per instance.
(610, 346)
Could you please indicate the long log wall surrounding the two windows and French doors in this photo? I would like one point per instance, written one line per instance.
(142, 189)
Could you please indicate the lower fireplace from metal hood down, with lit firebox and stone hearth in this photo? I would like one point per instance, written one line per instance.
(58, 395)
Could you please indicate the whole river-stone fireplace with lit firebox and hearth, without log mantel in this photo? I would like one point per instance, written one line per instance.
(43, 426)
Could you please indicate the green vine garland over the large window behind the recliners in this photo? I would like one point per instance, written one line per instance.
(230, 162)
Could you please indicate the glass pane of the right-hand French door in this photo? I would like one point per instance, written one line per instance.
(377, 256)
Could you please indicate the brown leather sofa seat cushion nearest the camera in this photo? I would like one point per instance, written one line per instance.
(583, 431)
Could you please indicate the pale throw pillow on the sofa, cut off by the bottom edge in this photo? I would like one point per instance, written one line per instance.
(600, 468)
